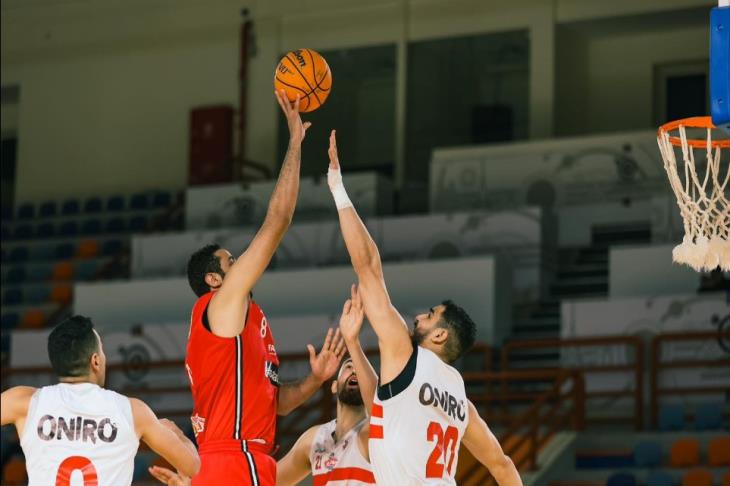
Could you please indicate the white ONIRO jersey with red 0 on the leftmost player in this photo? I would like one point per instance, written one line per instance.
(79, 435)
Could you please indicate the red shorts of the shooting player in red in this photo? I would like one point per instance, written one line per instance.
(235, 463)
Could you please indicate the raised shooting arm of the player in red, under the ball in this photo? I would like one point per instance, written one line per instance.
(226, 311)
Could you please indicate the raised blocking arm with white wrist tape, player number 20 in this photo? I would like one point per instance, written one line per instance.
(394, 340)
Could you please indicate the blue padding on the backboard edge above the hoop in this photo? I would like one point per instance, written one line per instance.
(720, 66)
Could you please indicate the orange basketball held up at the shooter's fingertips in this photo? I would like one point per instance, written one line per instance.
(304, 72)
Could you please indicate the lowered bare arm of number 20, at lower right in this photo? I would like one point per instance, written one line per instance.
(485, 448)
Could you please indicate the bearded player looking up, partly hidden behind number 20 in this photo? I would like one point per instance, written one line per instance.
(335, 453)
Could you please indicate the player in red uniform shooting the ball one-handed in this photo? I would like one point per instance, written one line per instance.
(231, 358)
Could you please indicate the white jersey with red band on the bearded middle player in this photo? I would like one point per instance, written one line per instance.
(339, 462)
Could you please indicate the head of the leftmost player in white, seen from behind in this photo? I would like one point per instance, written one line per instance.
(75, 351)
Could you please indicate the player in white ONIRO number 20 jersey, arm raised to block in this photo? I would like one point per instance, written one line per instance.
(420, 413)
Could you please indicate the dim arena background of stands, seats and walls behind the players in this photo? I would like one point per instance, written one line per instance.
(502, 154)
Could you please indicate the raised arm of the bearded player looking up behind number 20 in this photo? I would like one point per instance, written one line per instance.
(350, 325)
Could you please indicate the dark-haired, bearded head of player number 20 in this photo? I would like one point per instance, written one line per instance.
(446, 329)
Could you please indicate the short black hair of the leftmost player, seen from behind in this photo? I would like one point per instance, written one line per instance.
(70, 346)
